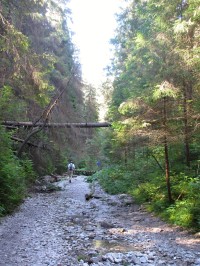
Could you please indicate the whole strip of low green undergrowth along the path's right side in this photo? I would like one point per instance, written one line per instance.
(150, 190)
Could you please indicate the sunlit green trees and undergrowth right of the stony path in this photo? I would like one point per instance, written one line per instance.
(154, 107)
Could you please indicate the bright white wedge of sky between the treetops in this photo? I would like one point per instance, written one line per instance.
(94, 23)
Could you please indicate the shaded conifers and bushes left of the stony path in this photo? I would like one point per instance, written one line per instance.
(40, 82)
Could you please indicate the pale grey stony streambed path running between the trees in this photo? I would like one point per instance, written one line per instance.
(63, 229)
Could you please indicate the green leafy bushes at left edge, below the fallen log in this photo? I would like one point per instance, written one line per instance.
(15, 175)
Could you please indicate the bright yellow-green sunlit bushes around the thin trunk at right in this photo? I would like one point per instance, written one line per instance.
(184, 211)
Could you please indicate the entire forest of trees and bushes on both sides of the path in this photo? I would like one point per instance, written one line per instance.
(152, 149)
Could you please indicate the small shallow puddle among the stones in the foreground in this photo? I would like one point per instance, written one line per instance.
(114, 247)
